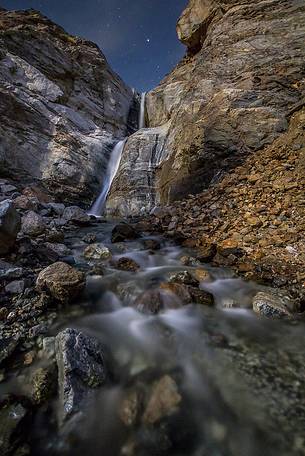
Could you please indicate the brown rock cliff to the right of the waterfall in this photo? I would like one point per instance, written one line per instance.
(230, 96)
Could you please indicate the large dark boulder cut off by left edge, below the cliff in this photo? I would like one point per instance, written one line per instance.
(9, 226)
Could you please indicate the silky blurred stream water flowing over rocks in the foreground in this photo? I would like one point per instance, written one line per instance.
(227, 382)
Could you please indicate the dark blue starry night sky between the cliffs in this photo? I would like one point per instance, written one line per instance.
(138, 37)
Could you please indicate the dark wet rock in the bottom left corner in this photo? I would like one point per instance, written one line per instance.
(11, 417)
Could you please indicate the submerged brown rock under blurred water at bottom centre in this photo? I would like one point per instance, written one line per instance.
(163, 401)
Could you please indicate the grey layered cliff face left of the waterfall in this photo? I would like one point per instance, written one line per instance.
(61, 106)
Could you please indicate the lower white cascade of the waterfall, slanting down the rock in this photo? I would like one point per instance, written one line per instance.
(112, 168)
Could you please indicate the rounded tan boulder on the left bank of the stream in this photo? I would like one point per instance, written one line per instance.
(61, 281)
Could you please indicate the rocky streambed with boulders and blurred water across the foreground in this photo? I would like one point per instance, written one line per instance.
(117, 341)
